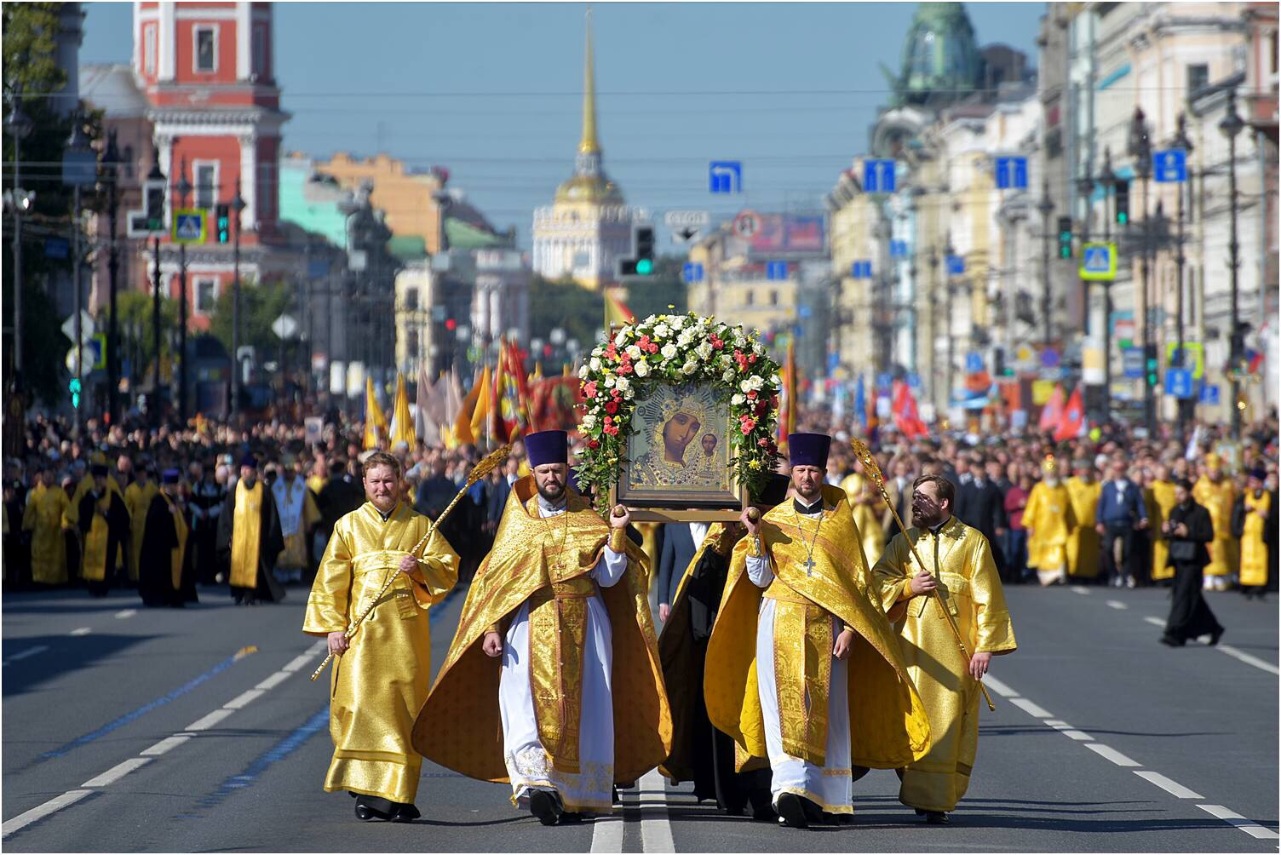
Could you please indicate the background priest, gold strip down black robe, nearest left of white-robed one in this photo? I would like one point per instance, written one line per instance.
(249, 538)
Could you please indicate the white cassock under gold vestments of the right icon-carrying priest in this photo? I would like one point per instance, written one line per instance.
(794, 775)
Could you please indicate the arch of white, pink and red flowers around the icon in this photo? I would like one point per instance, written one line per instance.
(678, 349)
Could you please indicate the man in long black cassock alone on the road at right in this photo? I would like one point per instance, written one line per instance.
(1189, 530)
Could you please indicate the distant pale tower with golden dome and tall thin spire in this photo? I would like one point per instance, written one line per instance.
(589, 228)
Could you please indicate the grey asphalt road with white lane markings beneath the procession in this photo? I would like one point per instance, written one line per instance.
(199, 730)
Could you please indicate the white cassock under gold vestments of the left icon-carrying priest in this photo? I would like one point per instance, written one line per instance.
(528, 765)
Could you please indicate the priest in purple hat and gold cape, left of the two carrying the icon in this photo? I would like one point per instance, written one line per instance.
(553, 681)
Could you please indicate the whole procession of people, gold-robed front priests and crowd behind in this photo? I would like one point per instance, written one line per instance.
(829, 554)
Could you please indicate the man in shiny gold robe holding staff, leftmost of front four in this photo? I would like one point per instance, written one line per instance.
(382, 674)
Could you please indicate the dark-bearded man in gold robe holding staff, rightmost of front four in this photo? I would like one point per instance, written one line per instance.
(959, 565)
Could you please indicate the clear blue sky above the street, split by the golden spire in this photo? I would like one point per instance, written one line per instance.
(494, 92)
